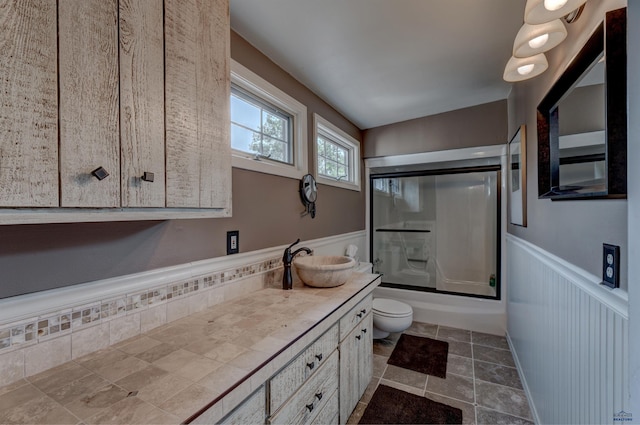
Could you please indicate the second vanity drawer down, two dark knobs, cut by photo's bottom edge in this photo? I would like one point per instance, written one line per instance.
(311, 399)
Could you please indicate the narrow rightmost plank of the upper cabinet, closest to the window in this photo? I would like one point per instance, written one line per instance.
(213, 76)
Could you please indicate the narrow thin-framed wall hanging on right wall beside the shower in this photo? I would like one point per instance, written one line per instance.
(517, 177)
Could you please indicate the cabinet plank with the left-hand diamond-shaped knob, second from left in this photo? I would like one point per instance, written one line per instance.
(89, 131)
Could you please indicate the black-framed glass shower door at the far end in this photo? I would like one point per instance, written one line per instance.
(438, 230)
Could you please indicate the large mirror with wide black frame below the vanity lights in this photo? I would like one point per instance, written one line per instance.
(582, 121)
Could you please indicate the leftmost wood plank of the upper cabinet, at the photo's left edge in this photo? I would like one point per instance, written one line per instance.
(28, 104)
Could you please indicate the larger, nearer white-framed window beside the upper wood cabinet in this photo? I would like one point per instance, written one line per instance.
(268, 127)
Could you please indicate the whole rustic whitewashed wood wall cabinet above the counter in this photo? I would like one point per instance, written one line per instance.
(137, 87)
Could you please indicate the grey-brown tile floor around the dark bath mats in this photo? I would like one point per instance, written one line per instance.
(481, 379)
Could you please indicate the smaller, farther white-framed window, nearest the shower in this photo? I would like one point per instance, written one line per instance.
(337, 155)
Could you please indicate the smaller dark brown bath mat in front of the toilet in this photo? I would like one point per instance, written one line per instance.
(421, 354)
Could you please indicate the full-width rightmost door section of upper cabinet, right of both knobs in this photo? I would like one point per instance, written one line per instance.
(197, 103)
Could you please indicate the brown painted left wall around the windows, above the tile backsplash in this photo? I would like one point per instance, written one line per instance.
(266, 211)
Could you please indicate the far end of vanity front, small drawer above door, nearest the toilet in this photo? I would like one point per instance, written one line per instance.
(356, 356)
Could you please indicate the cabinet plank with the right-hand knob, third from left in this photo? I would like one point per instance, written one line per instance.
(142, 102)
